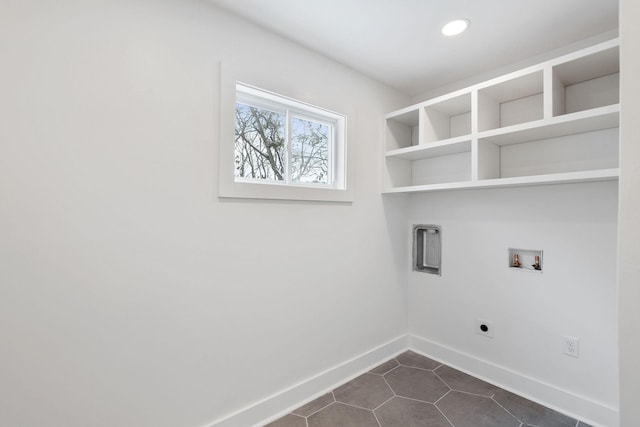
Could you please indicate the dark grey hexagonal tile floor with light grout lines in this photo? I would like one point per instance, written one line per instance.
(414, 391)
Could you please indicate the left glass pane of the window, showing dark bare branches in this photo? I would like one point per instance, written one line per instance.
(260, 143)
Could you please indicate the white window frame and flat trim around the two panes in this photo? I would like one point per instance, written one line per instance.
(337, 190)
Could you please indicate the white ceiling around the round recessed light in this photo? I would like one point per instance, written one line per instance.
(398, 42)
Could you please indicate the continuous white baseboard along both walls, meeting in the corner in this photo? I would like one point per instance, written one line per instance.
(592, 412)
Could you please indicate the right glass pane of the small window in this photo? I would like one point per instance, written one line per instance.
(309, 151)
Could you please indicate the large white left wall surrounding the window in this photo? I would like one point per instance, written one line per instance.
(130, 294)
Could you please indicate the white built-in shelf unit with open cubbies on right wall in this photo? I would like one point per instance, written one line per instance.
(555, 122)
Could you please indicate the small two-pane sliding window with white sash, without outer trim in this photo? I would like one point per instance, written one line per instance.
(281, 141)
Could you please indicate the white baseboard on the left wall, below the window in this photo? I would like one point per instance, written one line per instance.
(283, 402)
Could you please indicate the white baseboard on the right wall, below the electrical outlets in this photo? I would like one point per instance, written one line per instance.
(592, 412)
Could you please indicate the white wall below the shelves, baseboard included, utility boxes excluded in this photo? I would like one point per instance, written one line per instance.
(575, 226)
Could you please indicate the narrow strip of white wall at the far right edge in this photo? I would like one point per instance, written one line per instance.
(629, 226)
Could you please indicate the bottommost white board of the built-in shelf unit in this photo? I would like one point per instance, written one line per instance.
(520, 181)
